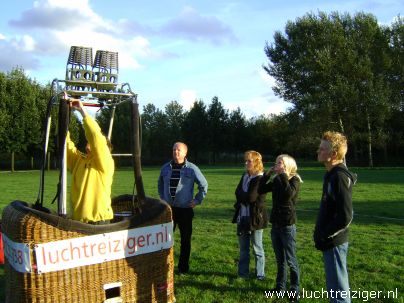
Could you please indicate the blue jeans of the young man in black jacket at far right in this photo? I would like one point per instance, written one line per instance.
(336, 273)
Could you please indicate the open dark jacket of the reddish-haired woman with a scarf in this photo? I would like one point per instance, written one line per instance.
(256, 201)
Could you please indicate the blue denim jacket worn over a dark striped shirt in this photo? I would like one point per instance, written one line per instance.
(189, 175)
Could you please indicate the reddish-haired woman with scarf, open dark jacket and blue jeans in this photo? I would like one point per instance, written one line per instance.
(251, 216)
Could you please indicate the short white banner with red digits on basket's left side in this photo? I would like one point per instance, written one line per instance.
(17, 255)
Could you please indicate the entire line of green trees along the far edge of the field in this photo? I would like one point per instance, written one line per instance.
(340, 72)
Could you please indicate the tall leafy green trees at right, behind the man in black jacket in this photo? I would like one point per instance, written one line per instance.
(346, 73)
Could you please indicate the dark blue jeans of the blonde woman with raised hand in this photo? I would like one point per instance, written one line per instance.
(284, 245)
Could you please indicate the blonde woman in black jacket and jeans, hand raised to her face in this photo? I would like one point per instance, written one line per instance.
(285, 188)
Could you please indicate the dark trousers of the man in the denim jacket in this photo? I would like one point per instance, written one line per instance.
(183, 218)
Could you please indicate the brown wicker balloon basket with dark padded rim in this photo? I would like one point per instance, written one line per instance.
(141, 278)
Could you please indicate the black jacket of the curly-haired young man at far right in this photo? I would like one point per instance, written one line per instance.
(336, 211)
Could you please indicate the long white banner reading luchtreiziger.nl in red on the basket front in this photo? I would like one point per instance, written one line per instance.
(75, 252)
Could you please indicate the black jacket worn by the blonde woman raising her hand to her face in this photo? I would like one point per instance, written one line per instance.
(284, 198)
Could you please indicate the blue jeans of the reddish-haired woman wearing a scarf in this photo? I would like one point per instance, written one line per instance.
(243, 264)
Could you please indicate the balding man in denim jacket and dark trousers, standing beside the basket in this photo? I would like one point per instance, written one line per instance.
(176, 187)
